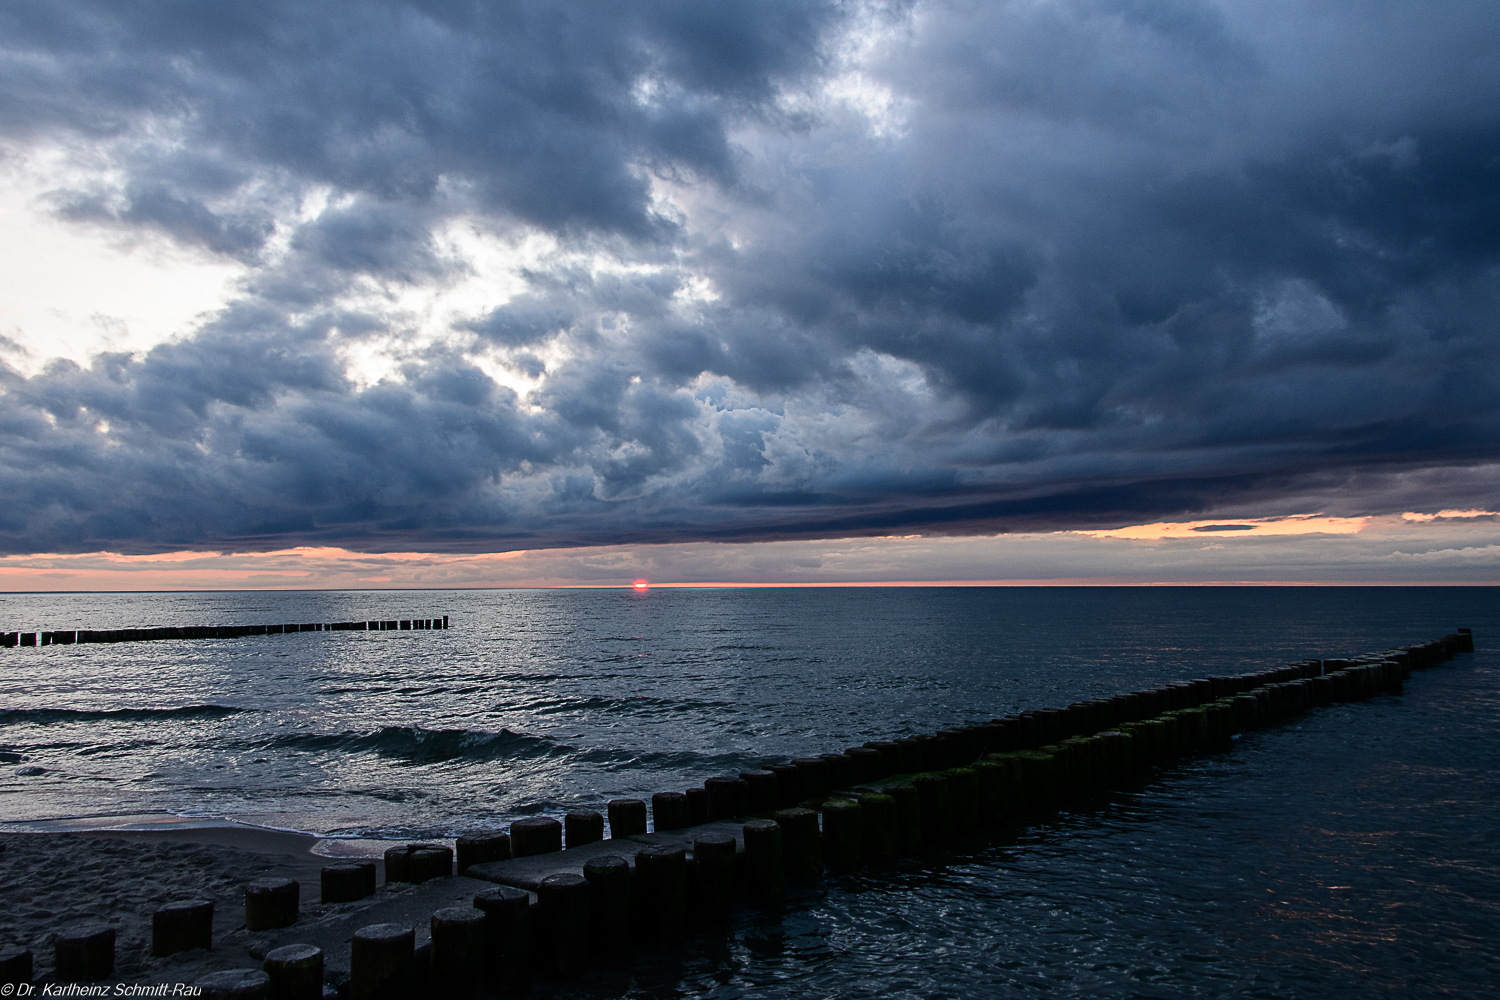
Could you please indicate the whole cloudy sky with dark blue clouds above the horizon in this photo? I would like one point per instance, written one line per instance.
(536, 295)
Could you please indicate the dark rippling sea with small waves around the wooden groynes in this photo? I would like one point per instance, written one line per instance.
(1354, 852)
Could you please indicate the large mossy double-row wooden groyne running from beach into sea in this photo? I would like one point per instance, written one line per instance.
(554, 897)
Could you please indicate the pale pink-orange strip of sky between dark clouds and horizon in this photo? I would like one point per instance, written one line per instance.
(1447, 548)
